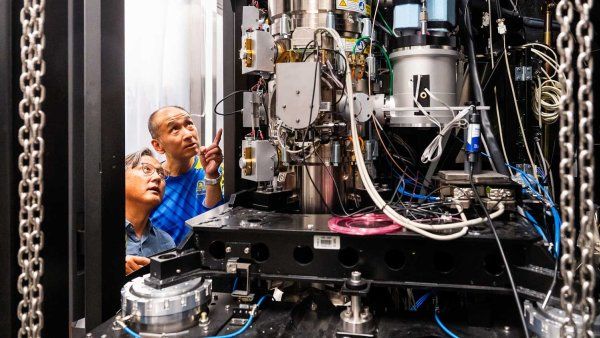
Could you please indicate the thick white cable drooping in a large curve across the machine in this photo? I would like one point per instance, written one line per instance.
(378, 200)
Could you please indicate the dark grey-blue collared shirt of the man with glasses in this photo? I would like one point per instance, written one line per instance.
(152, 242)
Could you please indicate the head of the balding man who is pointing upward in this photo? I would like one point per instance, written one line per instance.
(177, 134)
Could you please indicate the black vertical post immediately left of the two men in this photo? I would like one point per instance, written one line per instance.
(104, 140)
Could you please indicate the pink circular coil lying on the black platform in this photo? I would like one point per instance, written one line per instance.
(369, 224)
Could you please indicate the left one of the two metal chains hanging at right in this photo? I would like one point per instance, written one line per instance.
(565, 45)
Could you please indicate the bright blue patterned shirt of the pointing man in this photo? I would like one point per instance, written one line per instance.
(183, 199)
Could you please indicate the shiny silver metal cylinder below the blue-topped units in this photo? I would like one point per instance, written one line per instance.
(440, 65)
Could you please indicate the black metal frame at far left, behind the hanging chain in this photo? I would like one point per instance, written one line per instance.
(84, 179)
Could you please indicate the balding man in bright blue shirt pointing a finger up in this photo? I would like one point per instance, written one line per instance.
(193, 186)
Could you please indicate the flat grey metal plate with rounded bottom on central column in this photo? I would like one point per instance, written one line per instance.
(295, 85)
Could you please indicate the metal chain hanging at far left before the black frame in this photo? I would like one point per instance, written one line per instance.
(30, 164)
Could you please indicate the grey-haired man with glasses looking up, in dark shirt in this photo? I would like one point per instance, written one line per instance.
(144, 188)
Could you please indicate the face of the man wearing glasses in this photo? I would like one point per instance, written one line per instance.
(143, 184)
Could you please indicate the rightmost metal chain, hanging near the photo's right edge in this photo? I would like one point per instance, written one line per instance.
(585, 35)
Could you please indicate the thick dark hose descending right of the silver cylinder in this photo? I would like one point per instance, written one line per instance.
(490, 139)
